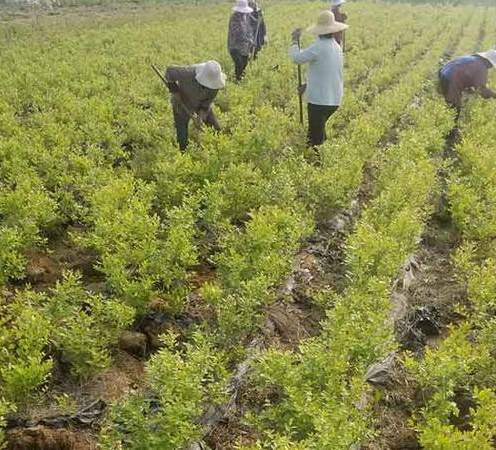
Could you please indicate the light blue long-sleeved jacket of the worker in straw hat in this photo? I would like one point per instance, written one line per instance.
(325, 71)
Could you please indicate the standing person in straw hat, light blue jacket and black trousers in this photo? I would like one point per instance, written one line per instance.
(324, 88)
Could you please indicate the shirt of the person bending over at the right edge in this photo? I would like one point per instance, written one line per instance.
(467, 72)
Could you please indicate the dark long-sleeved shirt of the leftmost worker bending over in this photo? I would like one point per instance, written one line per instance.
(196, 98)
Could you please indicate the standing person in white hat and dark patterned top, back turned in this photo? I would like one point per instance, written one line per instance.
(240, 40)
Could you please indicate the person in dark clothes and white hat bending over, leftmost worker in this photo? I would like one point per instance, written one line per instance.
(193, 90)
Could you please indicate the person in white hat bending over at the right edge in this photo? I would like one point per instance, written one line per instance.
(466, 72)
